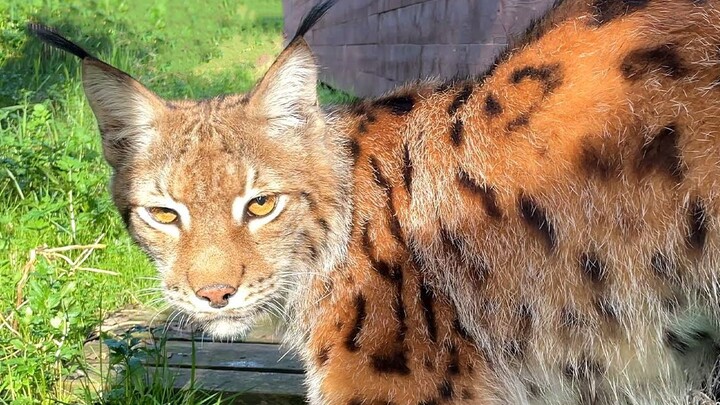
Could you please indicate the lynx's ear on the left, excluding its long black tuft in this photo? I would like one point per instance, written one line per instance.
(126, 111)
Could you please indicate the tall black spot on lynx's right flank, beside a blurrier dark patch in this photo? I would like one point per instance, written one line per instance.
(662, 154)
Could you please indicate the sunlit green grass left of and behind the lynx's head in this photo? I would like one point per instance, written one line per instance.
(53, 181)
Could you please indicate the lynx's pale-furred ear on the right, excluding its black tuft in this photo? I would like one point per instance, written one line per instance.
(287, 95)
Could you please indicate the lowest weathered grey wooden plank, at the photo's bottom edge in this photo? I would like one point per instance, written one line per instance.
(251, 385)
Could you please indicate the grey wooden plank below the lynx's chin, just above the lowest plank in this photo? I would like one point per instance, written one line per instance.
(231, 356)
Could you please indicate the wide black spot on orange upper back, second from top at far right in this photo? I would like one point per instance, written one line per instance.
(664, 59)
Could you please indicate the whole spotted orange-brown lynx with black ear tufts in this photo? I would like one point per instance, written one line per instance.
(545, 233)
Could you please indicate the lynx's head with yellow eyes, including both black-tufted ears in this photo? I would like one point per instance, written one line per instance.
(234, 198)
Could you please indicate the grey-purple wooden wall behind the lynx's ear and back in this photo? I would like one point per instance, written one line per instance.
(367, 47)
